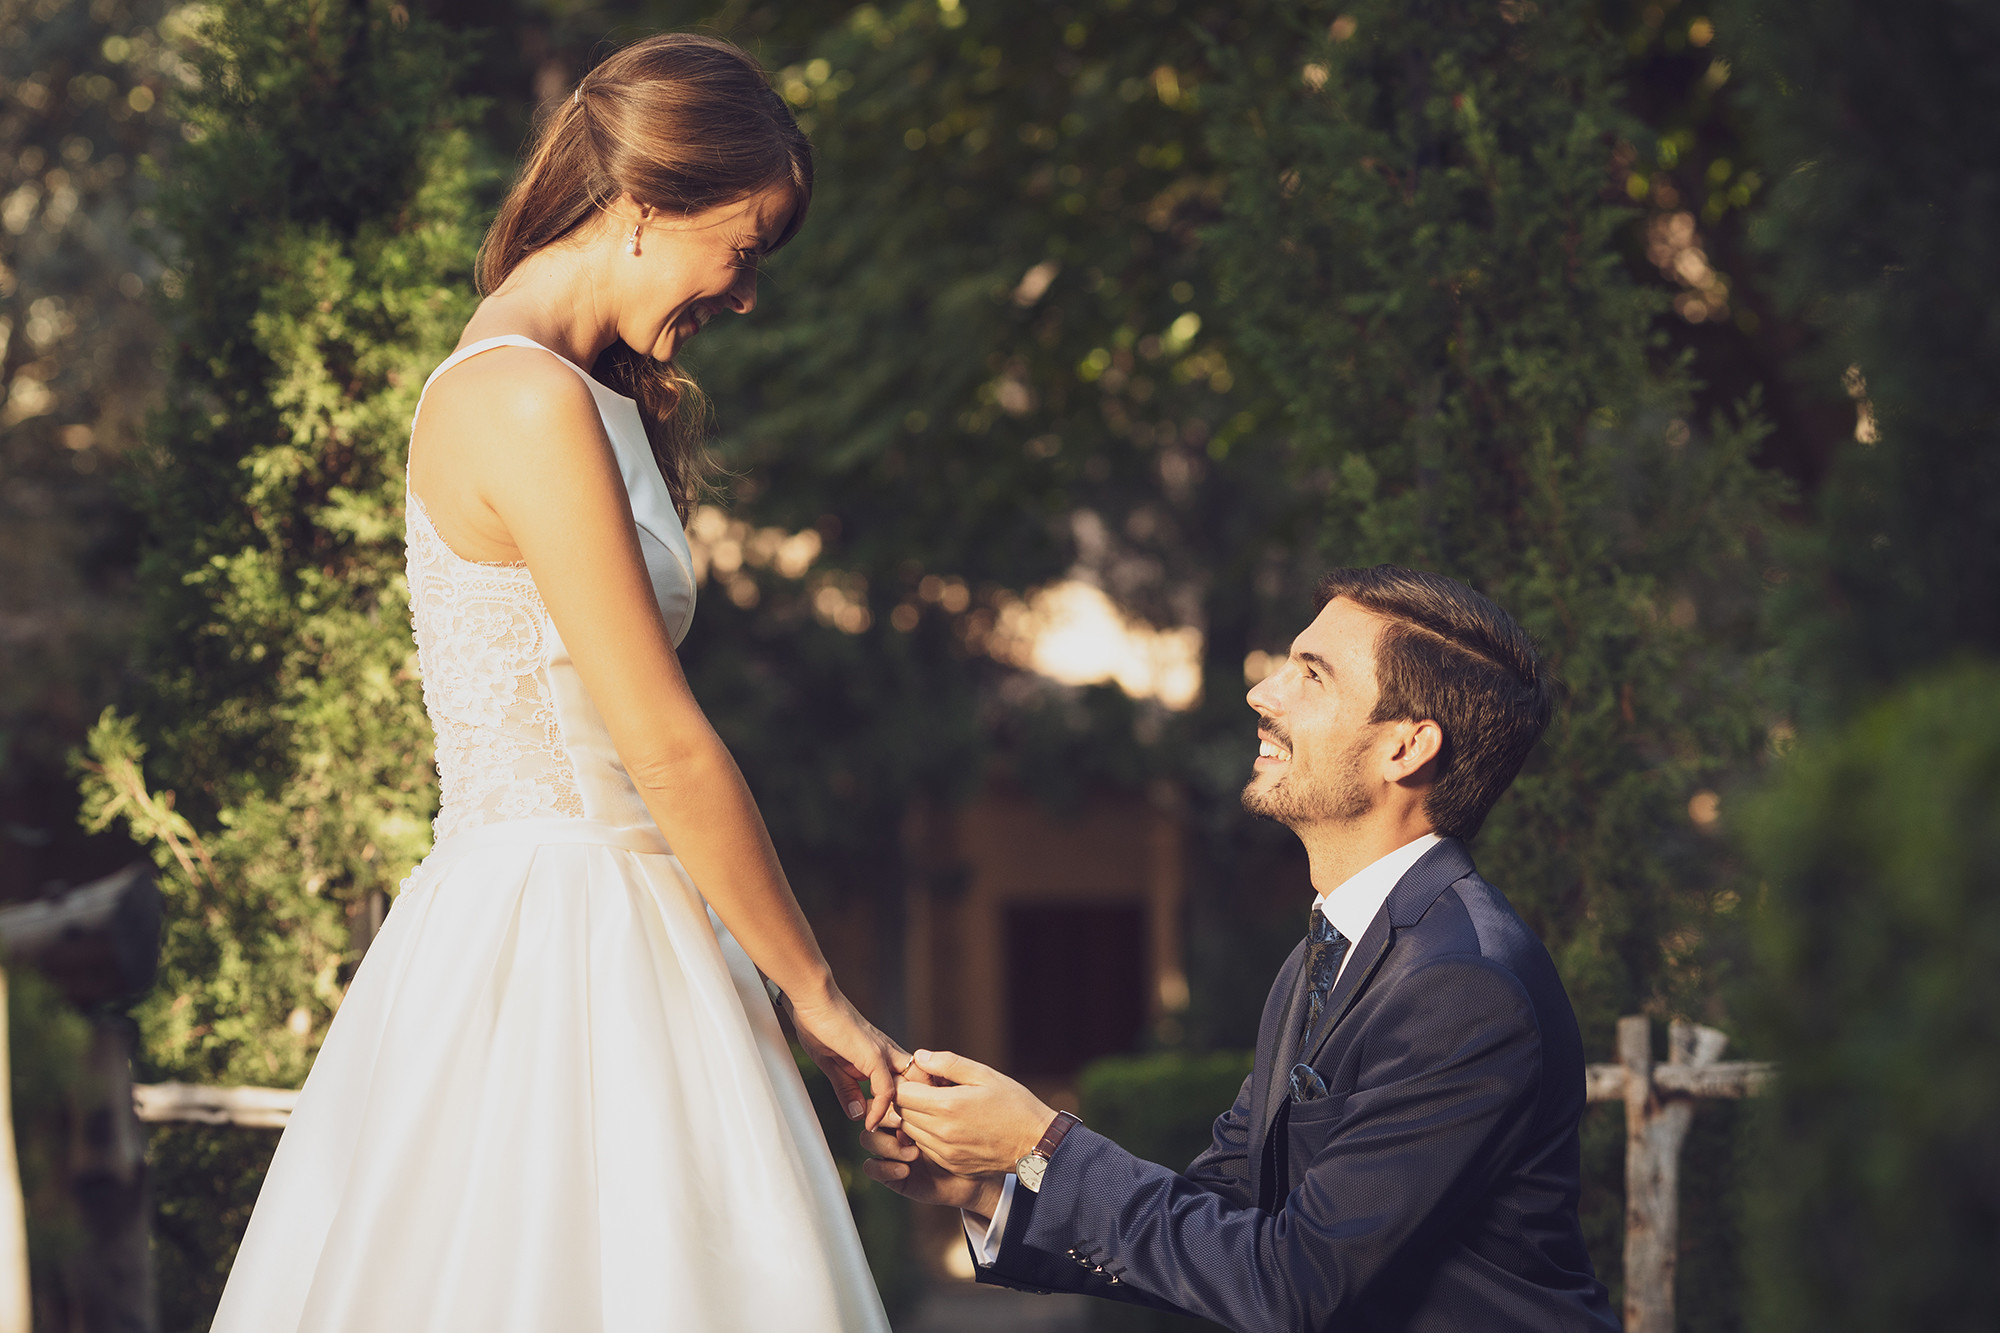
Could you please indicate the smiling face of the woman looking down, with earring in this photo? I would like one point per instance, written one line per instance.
(691, 269)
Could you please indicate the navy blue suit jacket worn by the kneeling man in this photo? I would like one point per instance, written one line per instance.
(1433, 1188)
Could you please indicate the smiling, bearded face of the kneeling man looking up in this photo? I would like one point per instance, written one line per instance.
(1315, 740)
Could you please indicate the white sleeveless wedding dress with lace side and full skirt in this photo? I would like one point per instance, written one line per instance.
(555, 1098)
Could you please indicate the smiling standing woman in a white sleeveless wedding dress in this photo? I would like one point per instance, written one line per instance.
(557, 1096)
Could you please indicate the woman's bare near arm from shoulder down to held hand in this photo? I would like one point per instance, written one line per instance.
(513, 457)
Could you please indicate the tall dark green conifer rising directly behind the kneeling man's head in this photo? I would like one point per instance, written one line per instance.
(1423, 257)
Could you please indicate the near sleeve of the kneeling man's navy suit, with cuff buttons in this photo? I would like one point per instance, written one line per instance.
(1451, 1070)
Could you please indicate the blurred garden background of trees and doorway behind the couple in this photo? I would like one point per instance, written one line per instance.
(1673, 327)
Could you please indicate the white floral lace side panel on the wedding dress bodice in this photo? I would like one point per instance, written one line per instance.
(483, 651)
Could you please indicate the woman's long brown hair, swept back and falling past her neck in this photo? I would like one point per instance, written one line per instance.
(681, 123)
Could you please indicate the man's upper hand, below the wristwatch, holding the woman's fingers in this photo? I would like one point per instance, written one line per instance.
(977, 1126)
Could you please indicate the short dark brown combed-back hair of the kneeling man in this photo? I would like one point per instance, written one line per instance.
(1453, 657)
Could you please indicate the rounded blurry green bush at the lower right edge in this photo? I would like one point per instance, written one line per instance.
(1881, 988)
